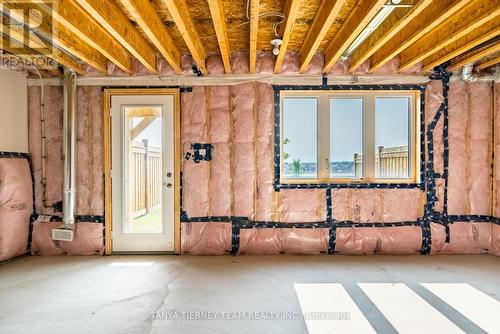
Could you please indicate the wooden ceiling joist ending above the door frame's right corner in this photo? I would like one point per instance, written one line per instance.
(148, 19)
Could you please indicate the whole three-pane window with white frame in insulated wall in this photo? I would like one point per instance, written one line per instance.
(349, 136)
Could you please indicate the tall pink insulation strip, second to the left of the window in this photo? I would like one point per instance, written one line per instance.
(243, 146)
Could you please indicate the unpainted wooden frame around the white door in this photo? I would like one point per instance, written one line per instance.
(107, 135)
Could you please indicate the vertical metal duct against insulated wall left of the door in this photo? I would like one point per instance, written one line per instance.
(69, 149)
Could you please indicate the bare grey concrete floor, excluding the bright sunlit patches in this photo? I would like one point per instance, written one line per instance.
(118, 294)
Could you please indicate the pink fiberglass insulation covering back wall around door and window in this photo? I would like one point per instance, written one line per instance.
(238, 121)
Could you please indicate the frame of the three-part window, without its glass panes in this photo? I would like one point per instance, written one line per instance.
(323, 129)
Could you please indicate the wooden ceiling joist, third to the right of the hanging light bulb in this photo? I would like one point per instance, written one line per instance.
(359, 18)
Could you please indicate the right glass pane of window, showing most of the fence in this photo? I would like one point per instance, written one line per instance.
(392, 133)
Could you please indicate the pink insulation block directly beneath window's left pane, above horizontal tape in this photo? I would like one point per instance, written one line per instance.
(307, 205)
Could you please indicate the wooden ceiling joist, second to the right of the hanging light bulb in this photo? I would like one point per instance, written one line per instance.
(327, 13)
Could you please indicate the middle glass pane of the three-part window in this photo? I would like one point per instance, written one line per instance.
(346, 138)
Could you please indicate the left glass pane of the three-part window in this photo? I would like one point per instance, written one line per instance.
(299, 140)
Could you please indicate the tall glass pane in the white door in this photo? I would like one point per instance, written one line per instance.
(143, 170)
